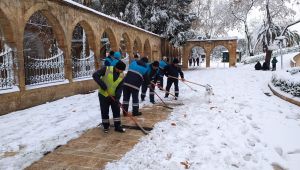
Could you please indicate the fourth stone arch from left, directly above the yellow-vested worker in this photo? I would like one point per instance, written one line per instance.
(108, 42)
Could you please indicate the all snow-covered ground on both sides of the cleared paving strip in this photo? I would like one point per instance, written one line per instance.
(240, 128)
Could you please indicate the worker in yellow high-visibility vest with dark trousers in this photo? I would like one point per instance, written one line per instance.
(110, 80)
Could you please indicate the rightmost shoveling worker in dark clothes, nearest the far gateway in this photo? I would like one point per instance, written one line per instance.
(172, 71)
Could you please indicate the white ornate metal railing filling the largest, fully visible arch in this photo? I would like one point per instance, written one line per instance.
(43, 71)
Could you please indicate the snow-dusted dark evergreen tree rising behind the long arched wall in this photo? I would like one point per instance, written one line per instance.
(168, 18)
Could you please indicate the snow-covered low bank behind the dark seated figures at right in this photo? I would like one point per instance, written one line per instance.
(275, 53)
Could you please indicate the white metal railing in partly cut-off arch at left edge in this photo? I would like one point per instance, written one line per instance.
(7, 80)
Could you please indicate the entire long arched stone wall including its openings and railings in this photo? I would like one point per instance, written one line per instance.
(54, 57)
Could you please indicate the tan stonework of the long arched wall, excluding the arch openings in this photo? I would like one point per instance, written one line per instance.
(63, 17)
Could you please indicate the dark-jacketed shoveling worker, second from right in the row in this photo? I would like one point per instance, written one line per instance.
(153, 75)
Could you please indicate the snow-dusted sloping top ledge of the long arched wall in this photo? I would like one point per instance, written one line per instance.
(107, 16)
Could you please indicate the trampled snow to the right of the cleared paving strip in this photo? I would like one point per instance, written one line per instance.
(241, 128)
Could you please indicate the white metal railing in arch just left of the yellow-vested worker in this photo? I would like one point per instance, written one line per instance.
(84, 66)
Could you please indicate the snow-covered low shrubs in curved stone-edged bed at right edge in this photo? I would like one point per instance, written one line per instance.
(288, 82)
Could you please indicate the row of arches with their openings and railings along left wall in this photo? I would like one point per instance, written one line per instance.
(47, 55)
